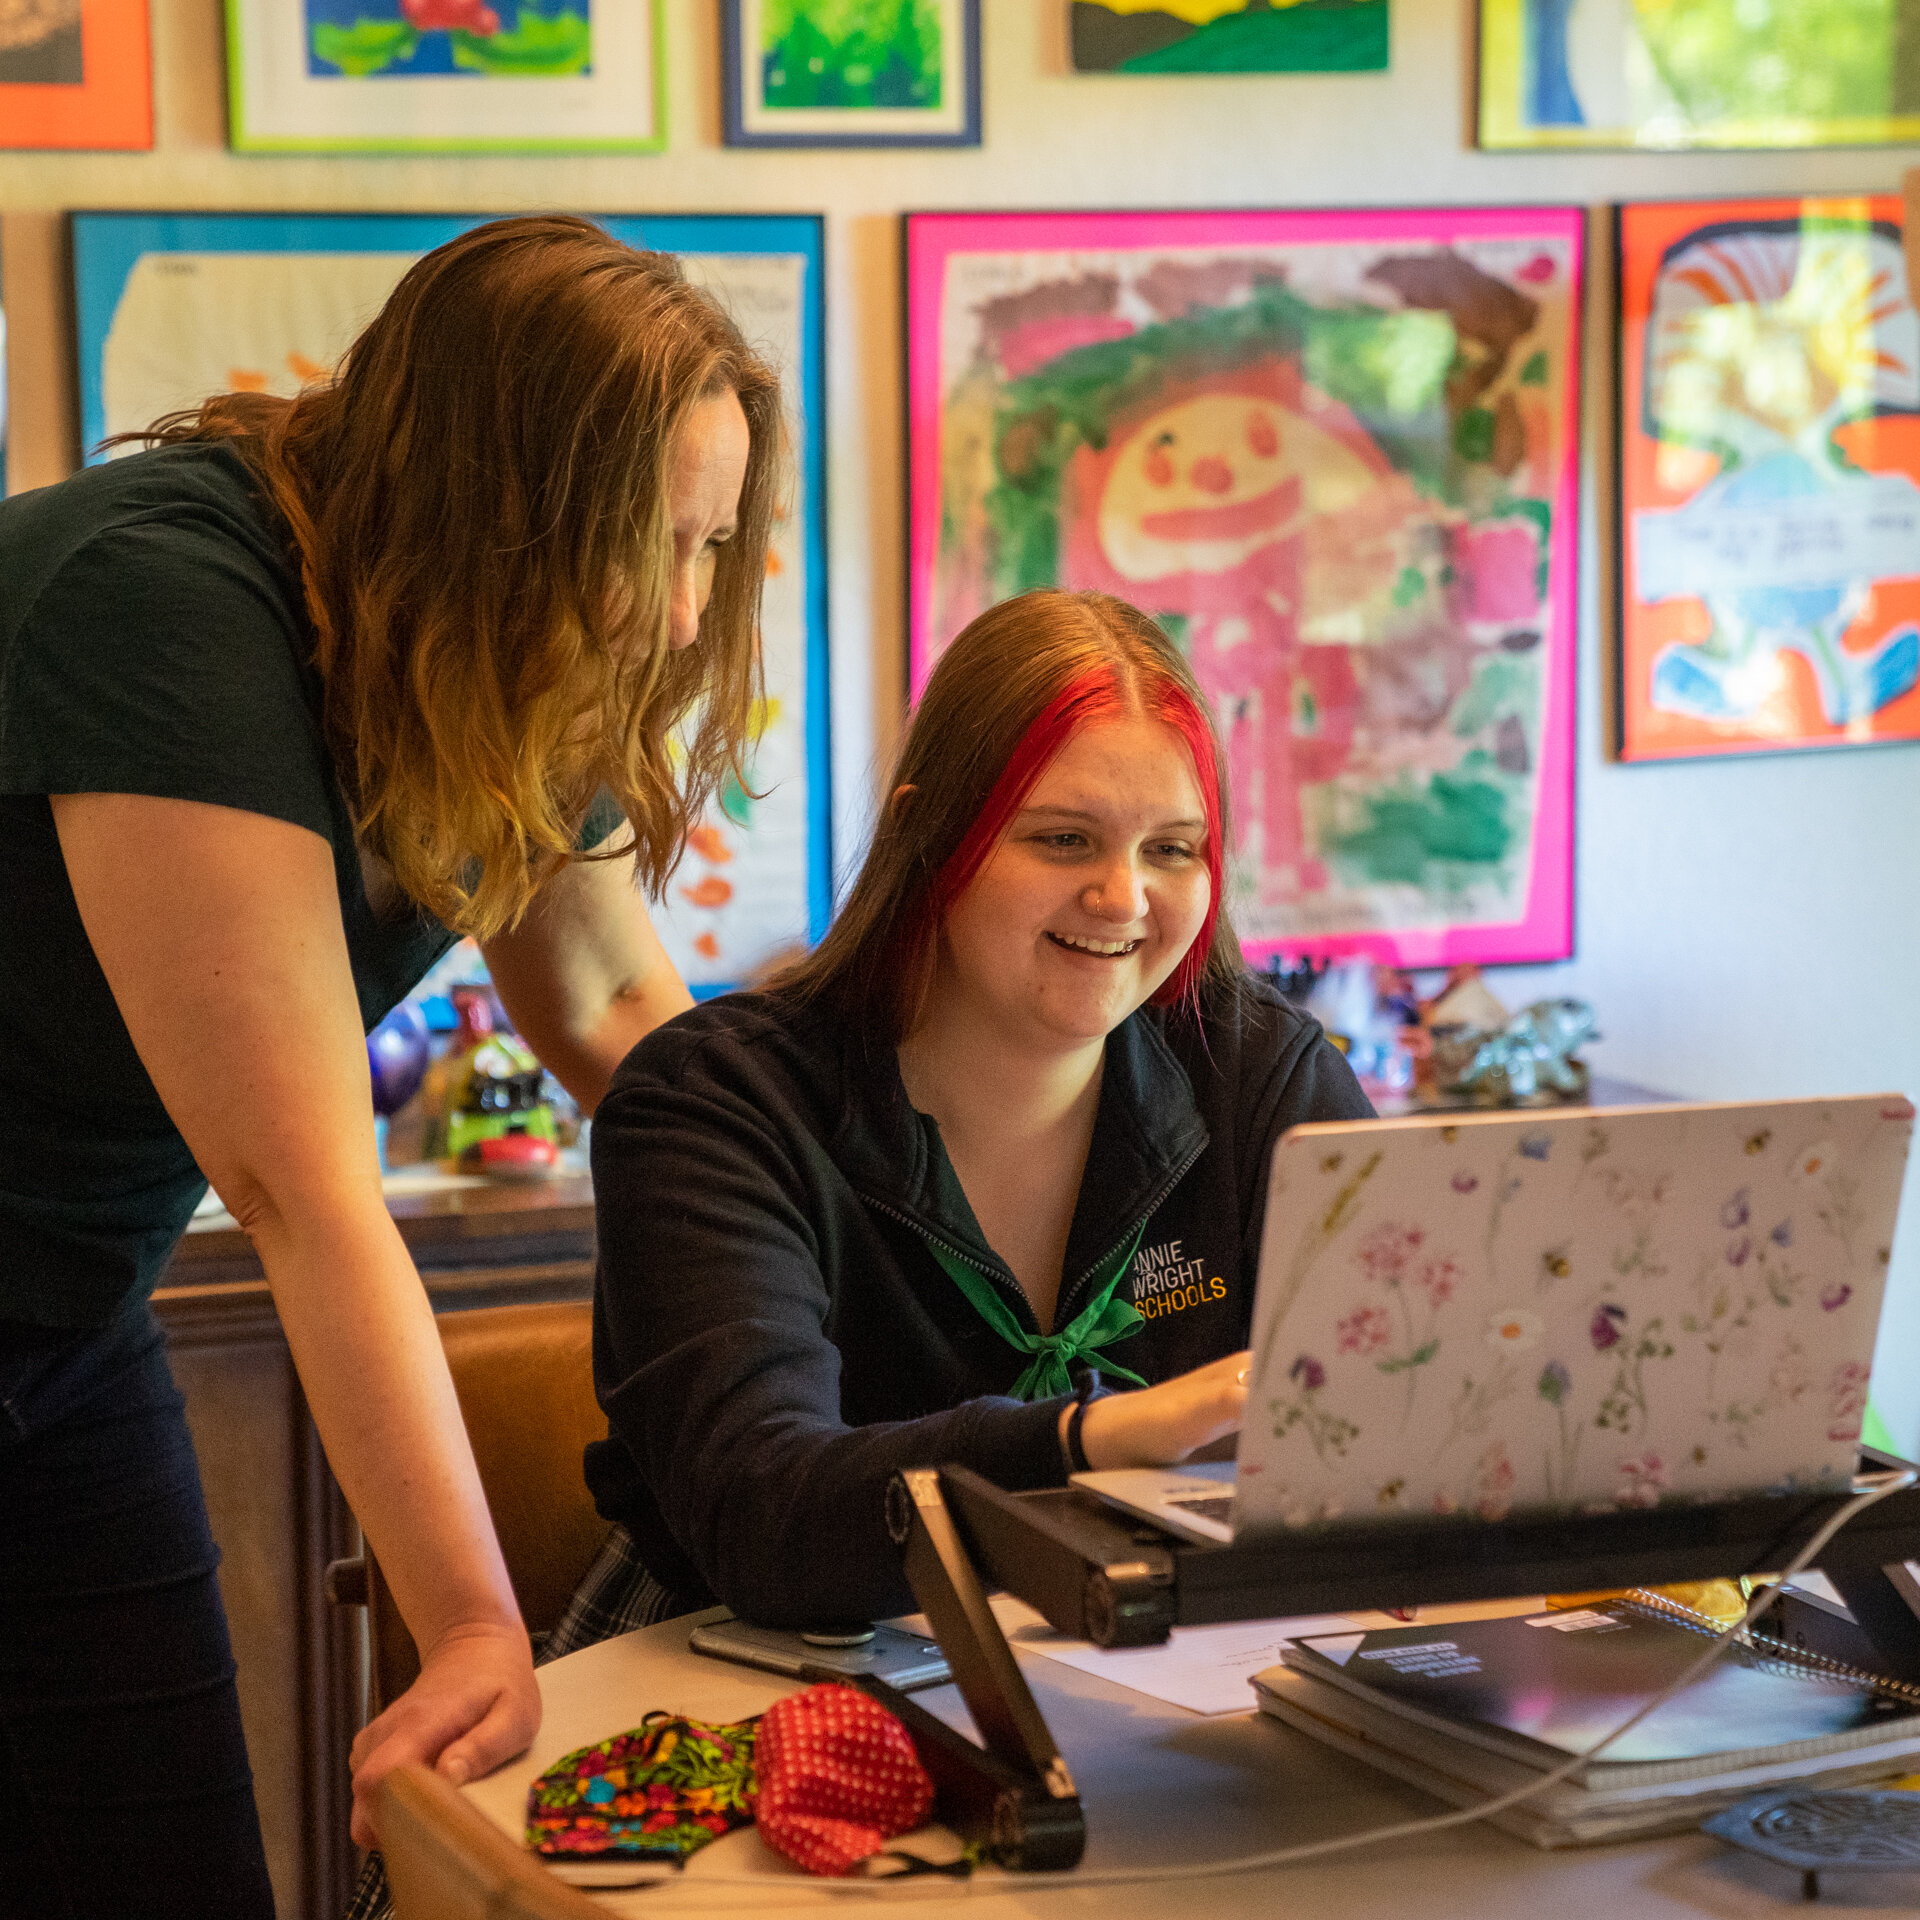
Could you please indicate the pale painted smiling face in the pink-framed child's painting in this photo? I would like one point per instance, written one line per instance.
(1199, 487)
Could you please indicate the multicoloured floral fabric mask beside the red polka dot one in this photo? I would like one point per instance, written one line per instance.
(656, 1794)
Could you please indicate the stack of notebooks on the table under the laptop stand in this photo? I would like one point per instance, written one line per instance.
(1476, 1710)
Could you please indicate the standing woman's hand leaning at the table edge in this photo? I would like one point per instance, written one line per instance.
(473, 1708)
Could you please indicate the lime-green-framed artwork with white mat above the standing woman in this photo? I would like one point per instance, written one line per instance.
(446, 76)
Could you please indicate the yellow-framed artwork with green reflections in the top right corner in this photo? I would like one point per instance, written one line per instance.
(1704, 74)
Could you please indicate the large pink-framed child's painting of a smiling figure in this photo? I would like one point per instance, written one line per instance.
(1335, 456)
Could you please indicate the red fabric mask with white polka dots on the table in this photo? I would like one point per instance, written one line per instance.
(838, 1779)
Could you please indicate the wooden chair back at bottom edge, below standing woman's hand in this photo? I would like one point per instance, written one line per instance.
(448, 1861)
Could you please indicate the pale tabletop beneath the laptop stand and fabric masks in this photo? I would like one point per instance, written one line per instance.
(1164, 1787)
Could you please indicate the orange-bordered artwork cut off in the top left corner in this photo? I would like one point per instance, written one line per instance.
(76, 74)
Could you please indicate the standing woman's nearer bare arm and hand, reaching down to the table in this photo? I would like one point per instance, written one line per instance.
(220, 934)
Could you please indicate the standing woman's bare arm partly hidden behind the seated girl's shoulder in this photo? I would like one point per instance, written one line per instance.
(585, 974)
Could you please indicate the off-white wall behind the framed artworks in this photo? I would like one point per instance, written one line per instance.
(1744, 926)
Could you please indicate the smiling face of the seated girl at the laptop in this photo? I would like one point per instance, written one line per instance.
(1093, 896)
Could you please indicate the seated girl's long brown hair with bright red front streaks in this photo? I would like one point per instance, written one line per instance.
(1003, 702)
